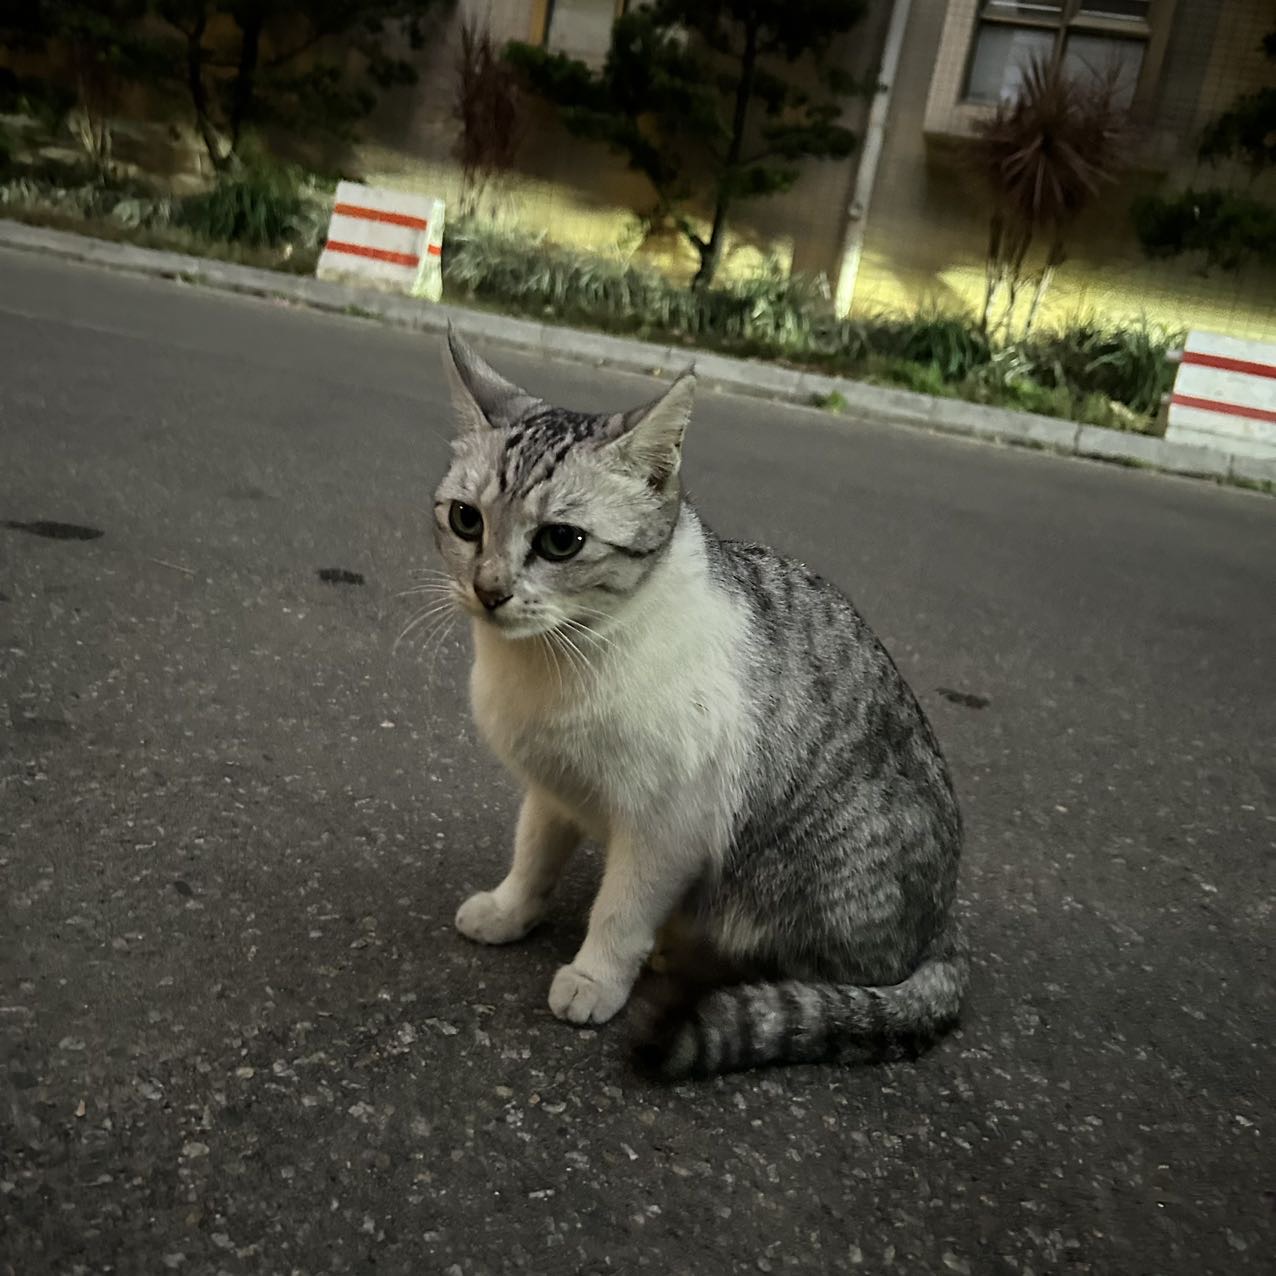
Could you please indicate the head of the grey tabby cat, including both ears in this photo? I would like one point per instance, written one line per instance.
(549, 517)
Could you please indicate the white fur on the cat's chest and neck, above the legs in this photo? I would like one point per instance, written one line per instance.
(655, 734)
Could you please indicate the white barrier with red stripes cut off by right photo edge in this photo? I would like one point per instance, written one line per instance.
(1226, 396)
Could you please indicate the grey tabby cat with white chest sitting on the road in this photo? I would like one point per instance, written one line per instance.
(723, 722)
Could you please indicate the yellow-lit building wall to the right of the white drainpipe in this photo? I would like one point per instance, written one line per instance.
(927, 226)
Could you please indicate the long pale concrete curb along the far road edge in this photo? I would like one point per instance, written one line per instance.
(739, 376)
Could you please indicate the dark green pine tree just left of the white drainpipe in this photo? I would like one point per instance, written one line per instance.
(702, 99)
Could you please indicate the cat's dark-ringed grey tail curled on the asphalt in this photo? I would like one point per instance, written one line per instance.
(752, 1025)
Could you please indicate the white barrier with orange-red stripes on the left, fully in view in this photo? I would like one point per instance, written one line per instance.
(387, 239)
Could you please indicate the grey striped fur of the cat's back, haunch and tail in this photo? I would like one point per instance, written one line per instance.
(842, 873)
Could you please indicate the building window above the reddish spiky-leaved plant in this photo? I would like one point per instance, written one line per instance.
(1093, 39)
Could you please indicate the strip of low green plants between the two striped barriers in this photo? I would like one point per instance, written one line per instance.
(1080, 373)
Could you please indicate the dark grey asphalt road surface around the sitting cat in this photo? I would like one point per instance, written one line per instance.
(239, 1034)
